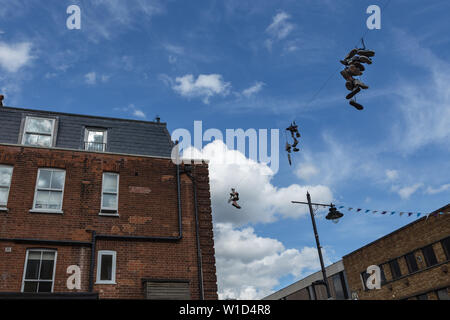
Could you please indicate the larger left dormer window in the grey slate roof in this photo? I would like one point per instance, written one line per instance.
(38, 131)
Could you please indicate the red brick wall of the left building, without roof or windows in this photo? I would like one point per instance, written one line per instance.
(147, 207)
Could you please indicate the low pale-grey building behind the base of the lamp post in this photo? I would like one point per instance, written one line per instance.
(309, 288)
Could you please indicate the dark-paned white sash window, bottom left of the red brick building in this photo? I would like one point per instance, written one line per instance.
(39, 270)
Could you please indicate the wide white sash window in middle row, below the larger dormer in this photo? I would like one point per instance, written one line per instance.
(49, 190)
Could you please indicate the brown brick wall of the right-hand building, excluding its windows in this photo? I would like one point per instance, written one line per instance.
(409, 239)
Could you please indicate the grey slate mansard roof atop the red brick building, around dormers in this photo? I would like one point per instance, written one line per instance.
(124, 136)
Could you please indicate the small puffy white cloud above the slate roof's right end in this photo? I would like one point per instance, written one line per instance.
(205, 86)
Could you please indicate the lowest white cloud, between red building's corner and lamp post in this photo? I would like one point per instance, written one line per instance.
(249, 266)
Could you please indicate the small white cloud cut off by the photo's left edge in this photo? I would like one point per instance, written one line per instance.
(14, 56)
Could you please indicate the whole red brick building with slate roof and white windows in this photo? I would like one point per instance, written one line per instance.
(102, 194)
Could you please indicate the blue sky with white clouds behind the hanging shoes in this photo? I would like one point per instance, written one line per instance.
(259, 64)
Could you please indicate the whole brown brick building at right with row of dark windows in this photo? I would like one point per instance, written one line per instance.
(414, 262)
